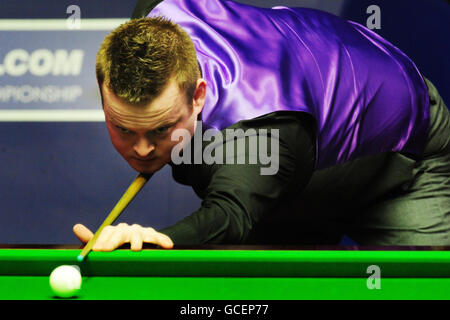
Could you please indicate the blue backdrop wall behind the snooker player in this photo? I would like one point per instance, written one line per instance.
(53, 175)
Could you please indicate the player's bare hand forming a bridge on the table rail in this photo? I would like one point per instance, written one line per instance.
(113, 237)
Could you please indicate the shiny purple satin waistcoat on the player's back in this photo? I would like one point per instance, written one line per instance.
(366, 96)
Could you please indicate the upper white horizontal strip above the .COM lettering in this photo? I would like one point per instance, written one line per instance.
(58, 24)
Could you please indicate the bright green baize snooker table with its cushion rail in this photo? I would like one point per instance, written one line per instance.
(232, 273)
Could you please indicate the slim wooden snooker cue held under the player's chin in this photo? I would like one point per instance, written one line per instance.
(123, 202)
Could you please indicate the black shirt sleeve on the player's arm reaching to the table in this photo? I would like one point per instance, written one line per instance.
(236, 196)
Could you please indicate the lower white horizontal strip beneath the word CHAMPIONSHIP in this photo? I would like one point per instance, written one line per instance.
(56, 115)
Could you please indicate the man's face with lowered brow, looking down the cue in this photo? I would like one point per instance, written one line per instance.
(142, 134)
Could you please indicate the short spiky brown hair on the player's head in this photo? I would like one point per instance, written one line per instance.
(137, 60)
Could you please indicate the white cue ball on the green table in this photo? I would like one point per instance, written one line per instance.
(65, 281)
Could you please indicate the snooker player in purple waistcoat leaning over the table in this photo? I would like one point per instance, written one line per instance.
(363, 139)
